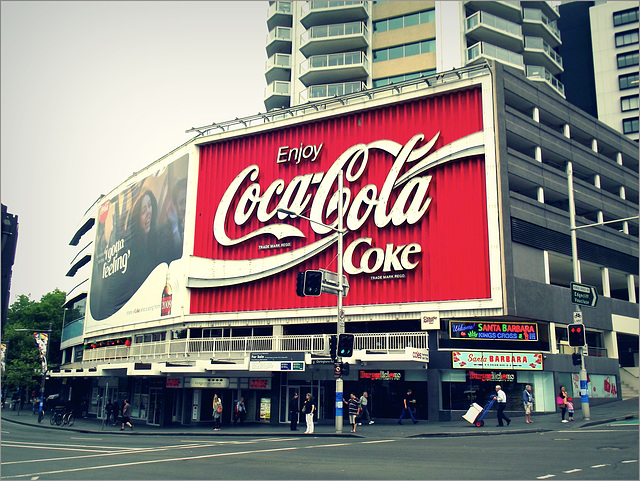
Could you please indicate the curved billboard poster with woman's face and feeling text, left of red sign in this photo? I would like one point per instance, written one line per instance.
(138, 230)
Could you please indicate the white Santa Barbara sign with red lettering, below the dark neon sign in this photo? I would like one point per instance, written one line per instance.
(520, 361)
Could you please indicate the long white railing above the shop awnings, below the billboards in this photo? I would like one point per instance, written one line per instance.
(242, 346)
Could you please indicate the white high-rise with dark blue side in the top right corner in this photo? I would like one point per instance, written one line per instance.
(602, 78)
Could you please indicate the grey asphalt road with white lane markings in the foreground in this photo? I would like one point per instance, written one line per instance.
(608, 451)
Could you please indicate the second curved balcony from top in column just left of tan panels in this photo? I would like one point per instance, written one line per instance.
(342, 37)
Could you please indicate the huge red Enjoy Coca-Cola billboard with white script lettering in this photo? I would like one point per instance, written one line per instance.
(415, 208)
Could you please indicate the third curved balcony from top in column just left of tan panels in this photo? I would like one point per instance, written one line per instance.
(337, 67)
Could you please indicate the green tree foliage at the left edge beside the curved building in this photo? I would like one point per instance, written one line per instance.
(24, 368)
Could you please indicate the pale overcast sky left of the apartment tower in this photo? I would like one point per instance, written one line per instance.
(94, 91)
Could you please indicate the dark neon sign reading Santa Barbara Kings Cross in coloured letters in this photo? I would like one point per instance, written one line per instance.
(501, 331)
